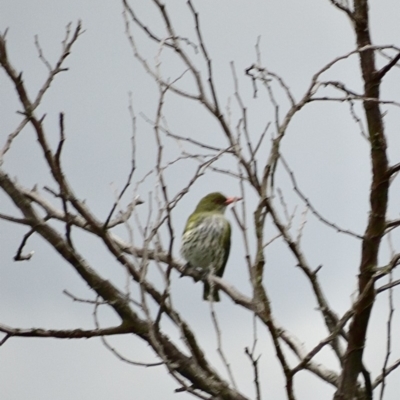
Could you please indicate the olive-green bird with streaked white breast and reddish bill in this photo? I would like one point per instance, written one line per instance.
(206, 239)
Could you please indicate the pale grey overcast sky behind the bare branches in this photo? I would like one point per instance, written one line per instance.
(324, 147)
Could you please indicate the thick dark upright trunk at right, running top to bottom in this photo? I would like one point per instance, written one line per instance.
(378, 205)
